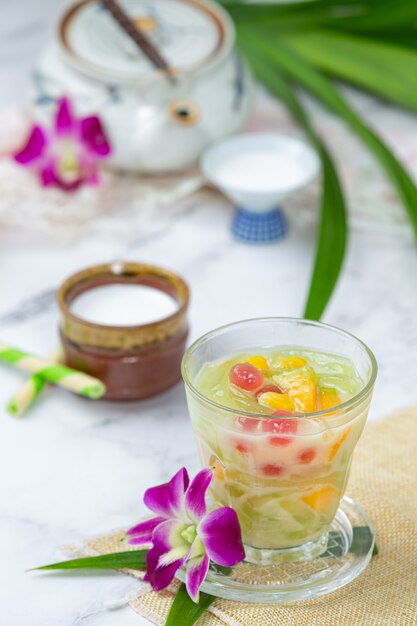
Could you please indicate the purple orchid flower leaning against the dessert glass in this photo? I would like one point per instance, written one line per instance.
(183, 532)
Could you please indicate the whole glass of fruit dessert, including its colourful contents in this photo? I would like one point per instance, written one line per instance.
(277, 406)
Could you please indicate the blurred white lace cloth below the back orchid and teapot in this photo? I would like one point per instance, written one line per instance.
(123, 204)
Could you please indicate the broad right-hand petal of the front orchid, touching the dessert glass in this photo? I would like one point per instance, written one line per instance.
(220, 533)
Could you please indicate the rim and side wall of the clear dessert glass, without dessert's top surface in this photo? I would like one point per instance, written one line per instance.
(284, 498)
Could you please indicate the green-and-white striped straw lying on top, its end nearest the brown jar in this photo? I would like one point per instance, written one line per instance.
(60, 375)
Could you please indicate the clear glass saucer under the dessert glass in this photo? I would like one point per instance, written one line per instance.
(349, 550)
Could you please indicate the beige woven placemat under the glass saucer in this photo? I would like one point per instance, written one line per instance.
(384, 482)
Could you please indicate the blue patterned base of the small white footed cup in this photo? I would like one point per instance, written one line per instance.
(259, 228)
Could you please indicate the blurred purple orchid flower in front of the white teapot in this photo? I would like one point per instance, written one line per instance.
(67, 155)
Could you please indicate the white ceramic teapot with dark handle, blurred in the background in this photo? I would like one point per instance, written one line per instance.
(153, 125)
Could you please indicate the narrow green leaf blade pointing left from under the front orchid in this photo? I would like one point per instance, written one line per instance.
(132, 559)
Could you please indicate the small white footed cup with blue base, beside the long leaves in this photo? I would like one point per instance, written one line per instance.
(255, 190)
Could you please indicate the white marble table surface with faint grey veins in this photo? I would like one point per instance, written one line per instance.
(73, 469)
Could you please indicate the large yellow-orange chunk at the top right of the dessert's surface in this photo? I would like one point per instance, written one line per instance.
(301, 387)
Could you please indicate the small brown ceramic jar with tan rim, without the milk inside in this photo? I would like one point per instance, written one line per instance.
(134, 362)
